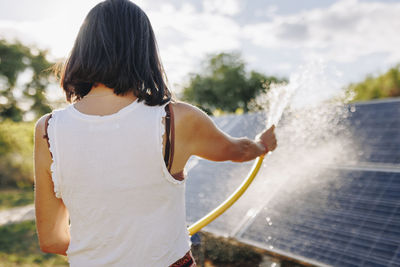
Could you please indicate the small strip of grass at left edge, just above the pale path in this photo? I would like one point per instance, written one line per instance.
(10, 198)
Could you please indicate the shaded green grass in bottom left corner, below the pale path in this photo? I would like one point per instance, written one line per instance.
(19, 247)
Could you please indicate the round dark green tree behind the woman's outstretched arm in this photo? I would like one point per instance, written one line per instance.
(224, 84)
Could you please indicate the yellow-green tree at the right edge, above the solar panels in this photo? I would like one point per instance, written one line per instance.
(385, 85)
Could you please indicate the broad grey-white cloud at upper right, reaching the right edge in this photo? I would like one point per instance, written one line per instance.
(342, 32)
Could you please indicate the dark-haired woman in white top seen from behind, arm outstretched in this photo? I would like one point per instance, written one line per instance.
(111, 163)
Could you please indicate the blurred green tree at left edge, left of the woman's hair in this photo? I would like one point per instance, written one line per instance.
(15, 59)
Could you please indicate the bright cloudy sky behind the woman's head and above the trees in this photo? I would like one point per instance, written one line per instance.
(355, 37)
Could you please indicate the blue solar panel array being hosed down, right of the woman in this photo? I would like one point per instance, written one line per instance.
(320, 197)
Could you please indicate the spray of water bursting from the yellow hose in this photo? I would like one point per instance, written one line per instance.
(312, 136)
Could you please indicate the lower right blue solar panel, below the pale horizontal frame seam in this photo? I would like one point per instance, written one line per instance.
(354, 231)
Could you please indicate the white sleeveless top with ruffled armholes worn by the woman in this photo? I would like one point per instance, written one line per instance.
(125, 208)
